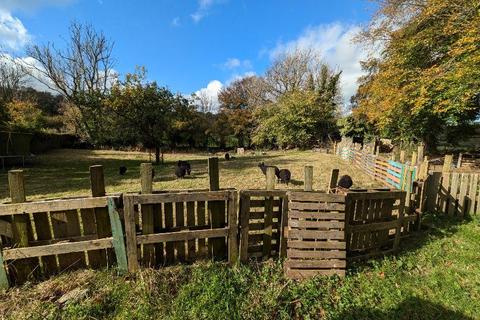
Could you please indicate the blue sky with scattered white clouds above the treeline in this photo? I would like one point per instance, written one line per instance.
(191, 45)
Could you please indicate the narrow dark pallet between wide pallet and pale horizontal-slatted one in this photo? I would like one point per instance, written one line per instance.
(260, 217)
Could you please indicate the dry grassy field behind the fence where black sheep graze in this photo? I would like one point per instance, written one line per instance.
(65, 172)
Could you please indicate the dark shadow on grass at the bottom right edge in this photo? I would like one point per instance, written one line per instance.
(412, 308)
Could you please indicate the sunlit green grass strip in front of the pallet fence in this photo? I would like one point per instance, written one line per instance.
(435, 276)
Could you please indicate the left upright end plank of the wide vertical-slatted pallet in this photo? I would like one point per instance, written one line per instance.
(130, 233)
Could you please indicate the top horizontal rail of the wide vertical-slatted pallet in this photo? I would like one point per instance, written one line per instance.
(181, 197)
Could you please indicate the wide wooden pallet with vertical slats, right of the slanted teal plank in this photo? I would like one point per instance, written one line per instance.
(184, 229)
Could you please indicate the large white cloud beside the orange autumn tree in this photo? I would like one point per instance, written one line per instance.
(334, 44)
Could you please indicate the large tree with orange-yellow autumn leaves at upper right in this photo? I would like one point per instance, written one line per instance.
(427, 79)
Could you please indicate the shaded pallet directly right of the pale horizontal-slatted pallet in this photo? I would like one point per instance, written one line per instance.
(374, 222)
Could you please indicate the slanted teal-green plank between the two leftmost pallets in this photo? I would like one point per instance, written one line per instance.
(117, 235)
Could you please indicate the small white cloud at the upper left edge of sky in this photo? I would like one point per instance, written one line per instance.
(13, 34)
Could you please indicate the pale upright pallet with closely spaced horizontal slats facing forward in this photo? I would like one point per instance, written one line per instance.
(315, 237)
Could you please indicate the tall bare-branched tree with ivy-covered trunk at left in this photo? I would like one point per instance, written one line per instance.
(82, 72)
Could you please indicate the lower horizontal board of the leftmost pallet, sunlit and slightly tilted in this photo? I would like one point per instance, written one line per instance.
(57, 248)
